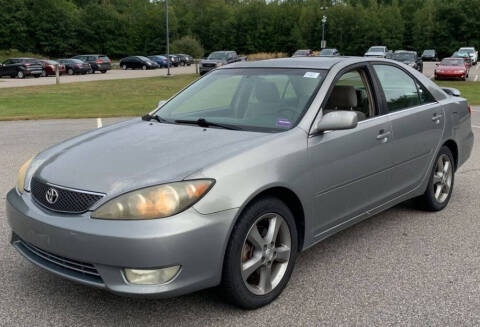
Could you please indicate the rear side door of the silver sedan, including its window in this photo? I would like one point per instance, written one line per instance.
(417, 121)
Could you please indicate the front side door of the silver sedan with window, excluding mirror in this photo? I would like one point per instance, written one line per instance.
(351, 167)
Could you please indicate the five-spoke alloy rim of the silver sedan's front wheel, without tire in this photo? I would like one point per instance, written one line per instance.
(265, 254)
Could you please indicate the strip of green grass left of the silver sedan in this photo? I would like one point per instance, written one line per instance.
(128, 97)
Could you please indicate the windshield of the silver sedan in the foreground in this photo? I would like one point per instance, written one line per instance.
(254, 99)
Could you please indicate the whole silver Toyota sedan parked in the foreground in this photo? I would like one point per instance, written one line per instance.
(230, 179)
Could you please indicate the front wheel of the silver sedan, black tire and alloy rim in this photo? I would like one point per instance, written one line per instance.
(244, 288)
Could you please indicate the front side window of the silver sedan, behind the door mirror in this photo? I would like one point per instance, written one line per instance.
(352, 92)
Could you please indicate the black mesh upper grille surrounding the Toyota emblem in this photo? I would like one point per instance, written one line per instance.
(68, 201)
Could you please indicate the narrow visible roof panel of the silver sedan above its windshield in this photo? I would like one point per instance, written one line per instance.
(296, 62)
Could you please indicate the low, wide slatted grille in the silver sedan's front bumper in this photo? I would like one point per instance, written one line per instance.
(62, 265)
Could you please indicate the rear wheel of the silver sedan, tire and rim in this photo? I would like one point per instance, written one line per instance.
(429, 200)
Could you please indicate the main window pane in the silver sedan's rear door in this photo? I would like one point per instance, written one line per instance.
(400, 89)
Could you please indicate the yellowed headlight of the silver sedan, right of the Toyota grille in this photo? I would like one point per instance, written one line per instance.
(155, 202)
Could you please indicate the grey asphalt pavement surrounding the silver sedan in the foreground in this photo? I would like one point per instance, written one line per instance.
(403, 267)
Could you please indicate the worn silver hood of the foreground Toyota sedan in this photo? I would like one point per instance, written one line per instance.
(137, 153)
